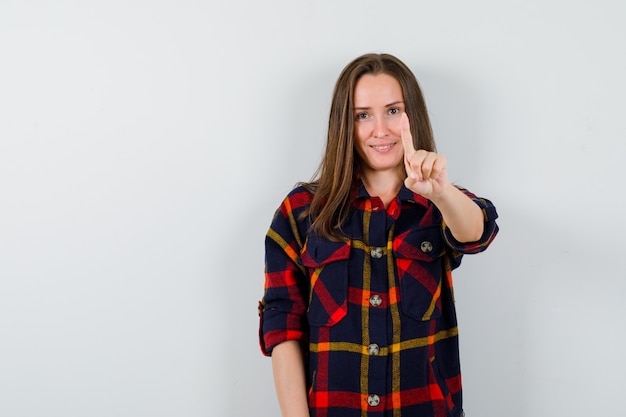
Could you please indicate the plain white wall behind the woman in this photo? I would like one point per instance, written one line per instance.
(144, 146)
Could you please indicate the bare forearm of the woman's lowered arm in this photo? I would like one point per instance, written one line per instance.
(289, 378)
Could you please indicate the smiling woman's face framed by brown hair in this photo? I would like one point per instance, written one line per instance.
(378, 105)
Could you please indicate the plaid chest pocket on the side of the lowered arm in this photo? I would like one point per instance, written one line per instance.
(327, 264)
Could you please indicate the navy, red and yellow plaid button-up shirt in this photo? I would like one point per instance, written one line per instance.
(375, 312)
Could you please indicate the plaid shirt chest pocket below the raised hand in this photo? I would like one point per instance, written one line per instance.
(418, 257)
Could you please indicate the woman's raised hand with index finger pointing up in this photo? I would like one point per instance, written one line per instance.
(427, 172)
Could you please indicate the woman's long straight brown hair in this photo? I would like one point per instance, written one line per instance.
(335, 177)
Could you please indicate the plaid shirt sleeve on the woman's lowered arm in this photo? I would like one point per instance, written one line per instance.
(282, 310)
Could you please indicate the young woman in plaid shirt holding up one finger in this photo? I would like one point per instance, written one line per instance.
(358, 312)
